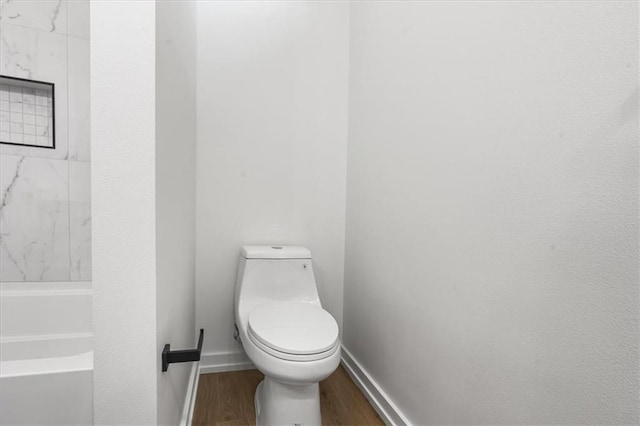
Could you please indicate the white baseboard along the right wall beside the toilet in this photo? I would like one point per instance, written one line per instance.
(379, 400)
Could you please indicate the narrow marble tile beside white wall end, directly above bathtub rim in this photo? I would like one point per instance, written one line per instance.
(80, 220)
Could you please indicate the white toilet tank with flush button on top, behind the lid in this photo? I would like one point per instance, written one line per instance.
(275, 273)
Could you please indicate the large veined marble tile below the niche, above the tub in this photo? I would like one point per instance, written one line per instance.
(34, 219)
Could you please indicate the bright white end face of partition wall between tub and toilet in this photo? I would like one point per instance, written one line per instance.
(124, 205)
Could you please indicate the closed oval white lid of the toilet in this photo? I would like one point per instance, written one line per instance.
(294, 327)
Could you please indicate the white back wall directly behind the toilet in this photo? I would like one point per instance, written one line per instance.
(272, 127)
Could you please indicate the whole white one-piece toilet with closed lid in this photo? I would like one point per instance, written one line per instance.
(285, 332)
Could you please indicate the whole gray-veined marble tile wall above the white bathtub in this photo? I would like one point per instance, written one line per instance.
(45, 206)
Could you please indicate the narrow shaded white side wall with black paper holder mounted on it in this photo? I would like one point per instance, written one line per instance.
(175, 196)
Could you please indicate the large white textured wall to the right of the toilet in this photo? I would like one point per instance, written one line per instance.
(492, 225)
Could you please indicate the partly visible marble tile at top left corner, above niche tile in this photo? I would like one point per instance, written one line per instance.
(44, 15)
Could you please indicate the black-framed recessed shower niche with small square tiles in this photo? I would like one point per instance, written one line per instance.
(27, 112)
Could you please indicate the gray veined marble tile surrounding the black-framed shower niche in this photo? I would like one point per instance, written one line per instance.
(38, 55)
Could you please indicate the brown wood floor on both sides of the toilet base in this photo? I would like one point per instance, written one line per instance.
(227, 399)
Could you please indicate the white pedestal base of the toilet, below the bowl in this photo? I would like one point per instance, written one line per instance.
(279, 403)
